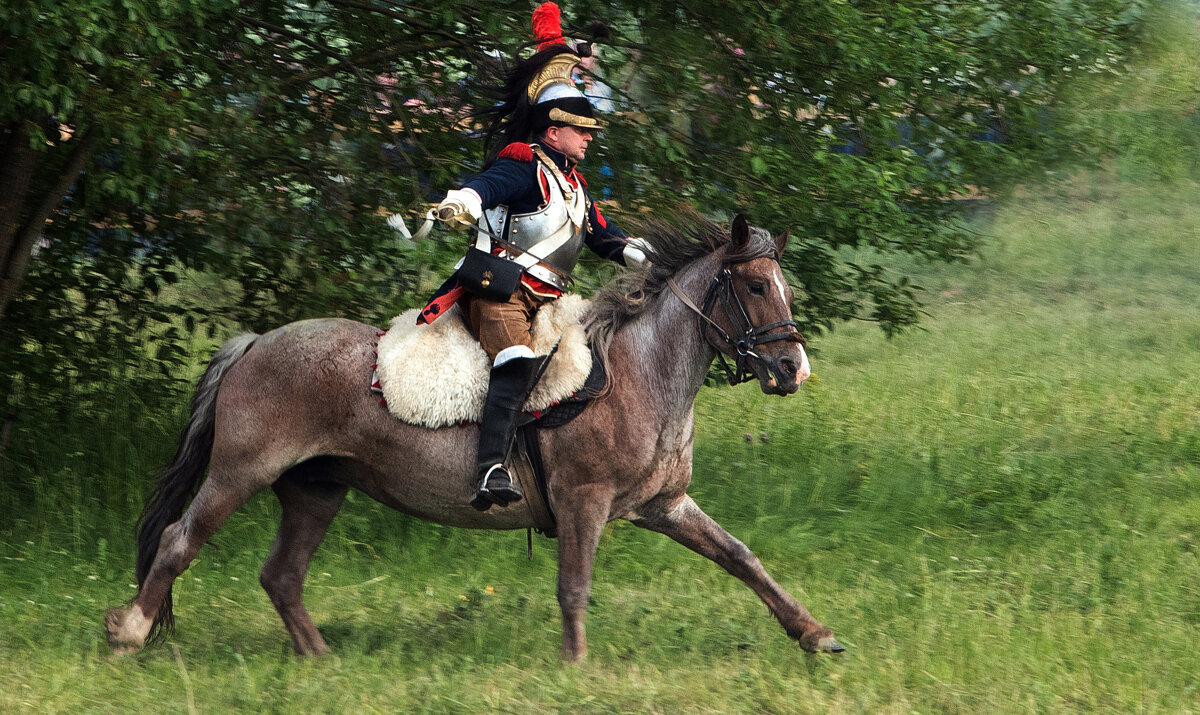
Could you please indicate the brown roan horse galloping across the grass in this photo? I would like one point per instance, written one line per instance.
(291, 411)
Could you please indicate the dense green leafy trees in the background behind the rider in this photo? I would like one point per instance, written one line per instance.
(173, 171)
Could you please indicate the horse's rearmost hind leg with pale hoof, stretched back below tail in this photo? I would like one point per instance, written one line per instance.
(129, 628)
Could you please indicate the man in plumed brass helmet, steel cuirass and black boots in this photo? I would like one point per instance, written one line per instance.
(532, 196)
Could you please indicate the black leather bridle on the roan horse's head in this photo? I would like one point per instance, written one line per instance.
(748, 338)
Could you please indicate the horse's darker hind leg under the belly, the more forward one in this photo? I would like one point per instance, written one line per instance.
(309, 508)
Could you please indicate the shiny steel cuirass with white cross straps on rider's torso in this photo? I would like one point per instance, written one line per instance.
(551, 236)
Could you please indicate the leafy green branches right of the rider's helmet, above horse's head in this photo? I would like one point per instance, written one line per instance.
(751, 109)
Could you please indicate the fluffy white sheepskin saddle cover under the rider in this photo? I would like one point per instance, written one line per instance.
(437, 375)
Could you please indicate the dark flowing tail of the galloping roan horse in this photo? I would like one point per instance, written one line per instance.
(181, 480)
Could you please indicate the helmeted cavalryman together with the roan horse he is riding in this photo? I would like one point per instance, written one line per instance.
(287, 411)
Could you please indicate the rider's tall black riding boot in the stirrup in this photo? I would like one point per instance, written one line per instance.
(507, 392)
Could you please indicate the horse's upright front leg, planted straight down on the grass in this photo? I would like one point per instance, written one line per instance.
(583, 515)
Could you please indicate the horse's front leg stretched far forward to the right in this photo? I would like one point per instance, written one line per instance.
(682, 520)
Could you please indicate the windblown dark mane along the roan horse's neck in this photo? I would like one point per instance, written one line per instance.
(675, 243)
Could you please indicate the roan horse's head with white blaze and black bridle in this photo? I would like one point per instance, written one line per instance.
(749, 308)
